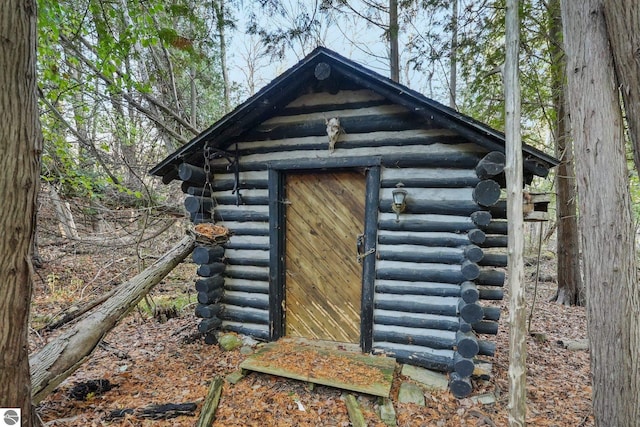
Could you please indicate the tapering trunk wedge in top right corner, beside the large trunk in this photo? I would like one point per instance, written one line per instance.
(623, 22)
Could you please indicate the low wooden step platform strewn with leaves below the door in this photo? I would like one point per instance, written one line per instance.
(337, 368)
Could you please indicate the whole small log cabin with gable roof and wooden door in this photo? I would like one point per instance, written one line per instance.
(304, 175)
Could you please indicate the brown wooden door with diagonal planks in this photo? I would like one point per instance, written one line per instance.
(324, 215)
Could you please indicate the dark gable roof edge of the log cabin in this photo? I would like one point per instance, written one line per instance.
(286, 87)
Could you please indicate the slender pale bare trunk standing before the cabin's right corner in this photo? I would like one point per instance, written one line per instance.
(517, 307)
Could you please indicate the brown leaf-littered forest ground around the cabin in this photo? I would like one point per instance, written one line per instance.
(147, 362)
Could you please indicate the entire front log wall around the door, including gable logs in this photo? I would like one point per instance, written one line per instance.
(423, 259)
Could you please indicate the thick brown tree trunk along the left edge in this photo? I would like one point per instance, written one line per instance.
(21, 144)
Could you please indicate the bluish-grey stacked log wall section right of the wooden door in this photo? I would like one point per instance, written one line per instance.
(434, 275)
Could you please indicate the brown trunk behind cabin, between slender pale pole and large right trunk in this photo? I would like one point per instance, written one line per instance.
(570, 285)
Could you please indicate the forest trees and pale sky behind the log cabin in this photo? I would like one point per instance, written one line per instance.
(123, 83)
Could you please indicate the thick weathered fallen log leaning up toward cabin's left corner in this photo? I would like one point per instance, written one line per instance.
(62, 356)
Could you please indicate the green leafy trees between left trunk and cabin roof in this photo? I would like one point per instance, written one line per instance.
(117, 82)
